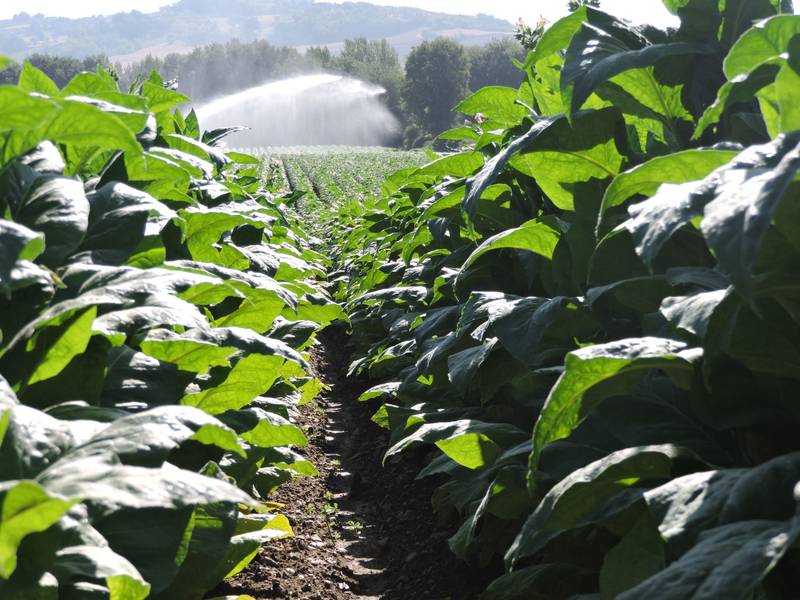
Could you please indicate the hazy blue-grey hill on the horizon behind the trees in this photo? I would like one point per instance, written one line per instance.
(191, 23)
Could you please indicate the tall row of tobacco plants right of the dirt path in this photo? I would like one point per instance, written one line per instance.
(592, 310)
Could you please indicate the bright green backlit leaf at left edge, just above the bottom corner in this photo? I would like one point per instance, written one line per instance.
(26, 508)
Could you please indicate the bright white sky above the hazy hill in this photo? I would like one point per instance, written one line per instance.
(637, 10)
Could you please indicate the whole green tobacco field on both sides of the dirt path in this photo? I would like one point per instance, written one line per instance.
(588, 311)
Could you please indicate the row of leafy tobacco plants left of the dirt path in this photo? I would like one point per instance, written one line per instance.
(156, 304)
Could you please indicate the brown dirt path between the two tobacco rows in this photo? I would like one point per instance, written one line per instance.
(361, 531)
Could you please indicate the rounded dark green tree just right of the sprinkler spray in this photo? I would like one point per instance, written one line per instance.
(437, 78)
